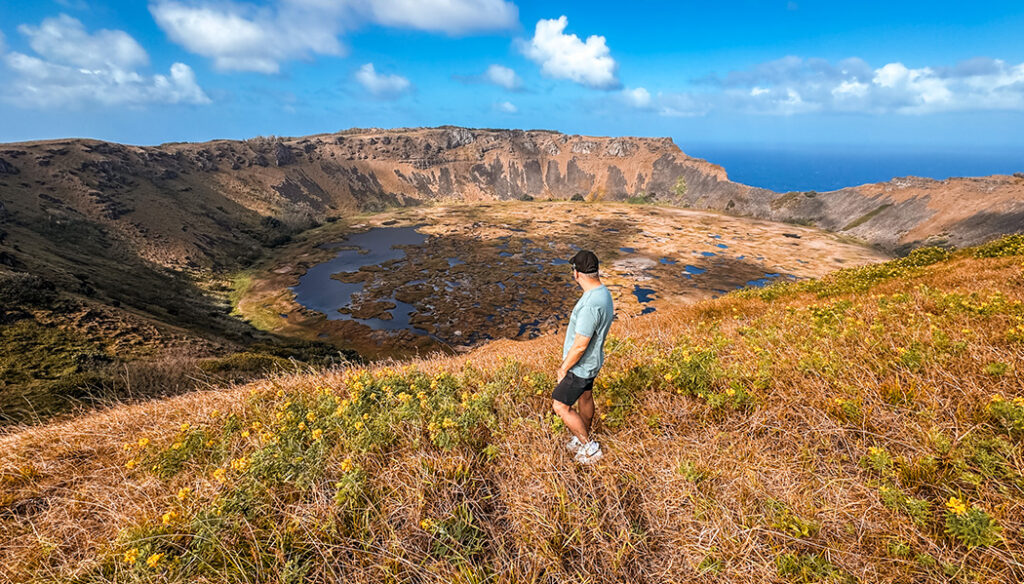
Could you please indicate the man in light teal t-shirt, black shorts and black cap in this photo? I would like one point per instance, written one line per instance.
(583, 355)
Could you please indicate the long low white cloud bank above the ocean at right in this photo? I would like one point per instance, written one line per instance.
(793, 86)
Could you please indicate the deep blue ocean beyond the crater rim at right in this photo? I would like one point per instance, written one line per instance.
(829, 169)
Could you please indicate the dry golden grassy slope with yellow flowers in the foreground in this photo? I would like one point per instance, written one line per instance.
(864, 428)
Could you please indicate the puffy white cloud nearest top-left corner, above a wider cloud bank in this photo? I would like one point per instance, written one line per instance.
(64, 39)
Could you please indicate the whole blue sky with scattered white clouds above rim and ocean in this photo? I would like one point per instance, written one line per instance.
(865, 74)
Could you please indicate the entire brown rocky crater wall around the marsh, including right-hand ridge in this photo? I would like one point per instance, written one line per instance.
(194, 206)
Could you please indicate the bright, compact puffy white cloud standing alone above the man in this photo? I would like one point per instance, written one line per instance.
(566, 57)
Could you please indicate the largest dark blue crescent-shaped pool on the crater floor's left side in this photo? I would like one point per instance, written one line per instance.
(318, 291)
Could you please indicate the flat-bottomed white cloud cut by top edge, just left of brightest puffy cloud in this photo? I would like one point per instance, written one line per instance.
(449, 17)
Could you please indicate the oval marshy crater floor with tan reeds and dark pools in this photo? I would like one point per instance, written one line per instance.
(457, 276)
